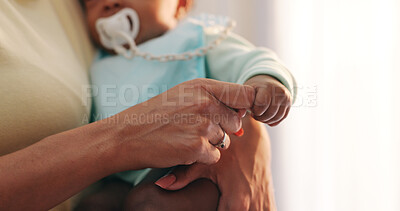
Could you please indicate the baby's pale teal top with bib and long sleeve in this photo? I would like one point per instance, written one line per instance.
(119, 83)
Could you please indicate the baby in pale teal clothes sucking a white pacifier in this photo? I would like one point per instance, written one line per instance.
(148, 46)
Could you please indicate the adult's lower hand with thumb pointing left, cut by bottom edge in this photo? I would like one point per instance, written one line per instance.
(243, 174)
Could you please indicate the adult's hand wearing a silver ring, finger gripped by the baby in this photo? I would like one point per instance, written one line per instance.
(183, 125)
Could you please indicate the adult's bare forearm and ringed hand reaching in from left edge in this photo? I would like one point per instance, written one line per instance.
(43, 175)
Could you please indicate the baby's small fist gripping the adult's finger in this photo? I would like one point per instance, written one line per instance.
(272, 102)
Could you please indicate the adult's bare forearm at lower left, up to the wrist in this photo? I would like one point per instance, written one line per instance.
(52, 170)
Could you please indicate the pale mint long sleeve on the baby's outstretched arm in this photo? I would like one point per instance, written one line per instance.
(236, 60)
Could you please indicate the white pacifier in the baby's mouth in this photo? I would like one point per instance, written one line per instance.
(125, 21)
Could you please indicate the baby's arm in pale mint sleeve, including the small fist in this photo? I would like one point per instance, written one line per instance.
(238, 61)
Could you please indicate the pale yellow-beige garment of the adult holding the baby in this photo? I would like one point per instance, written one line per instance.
(45, 53)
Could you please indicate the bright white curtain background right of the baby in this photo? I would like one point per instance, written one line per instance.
(339, 148)
